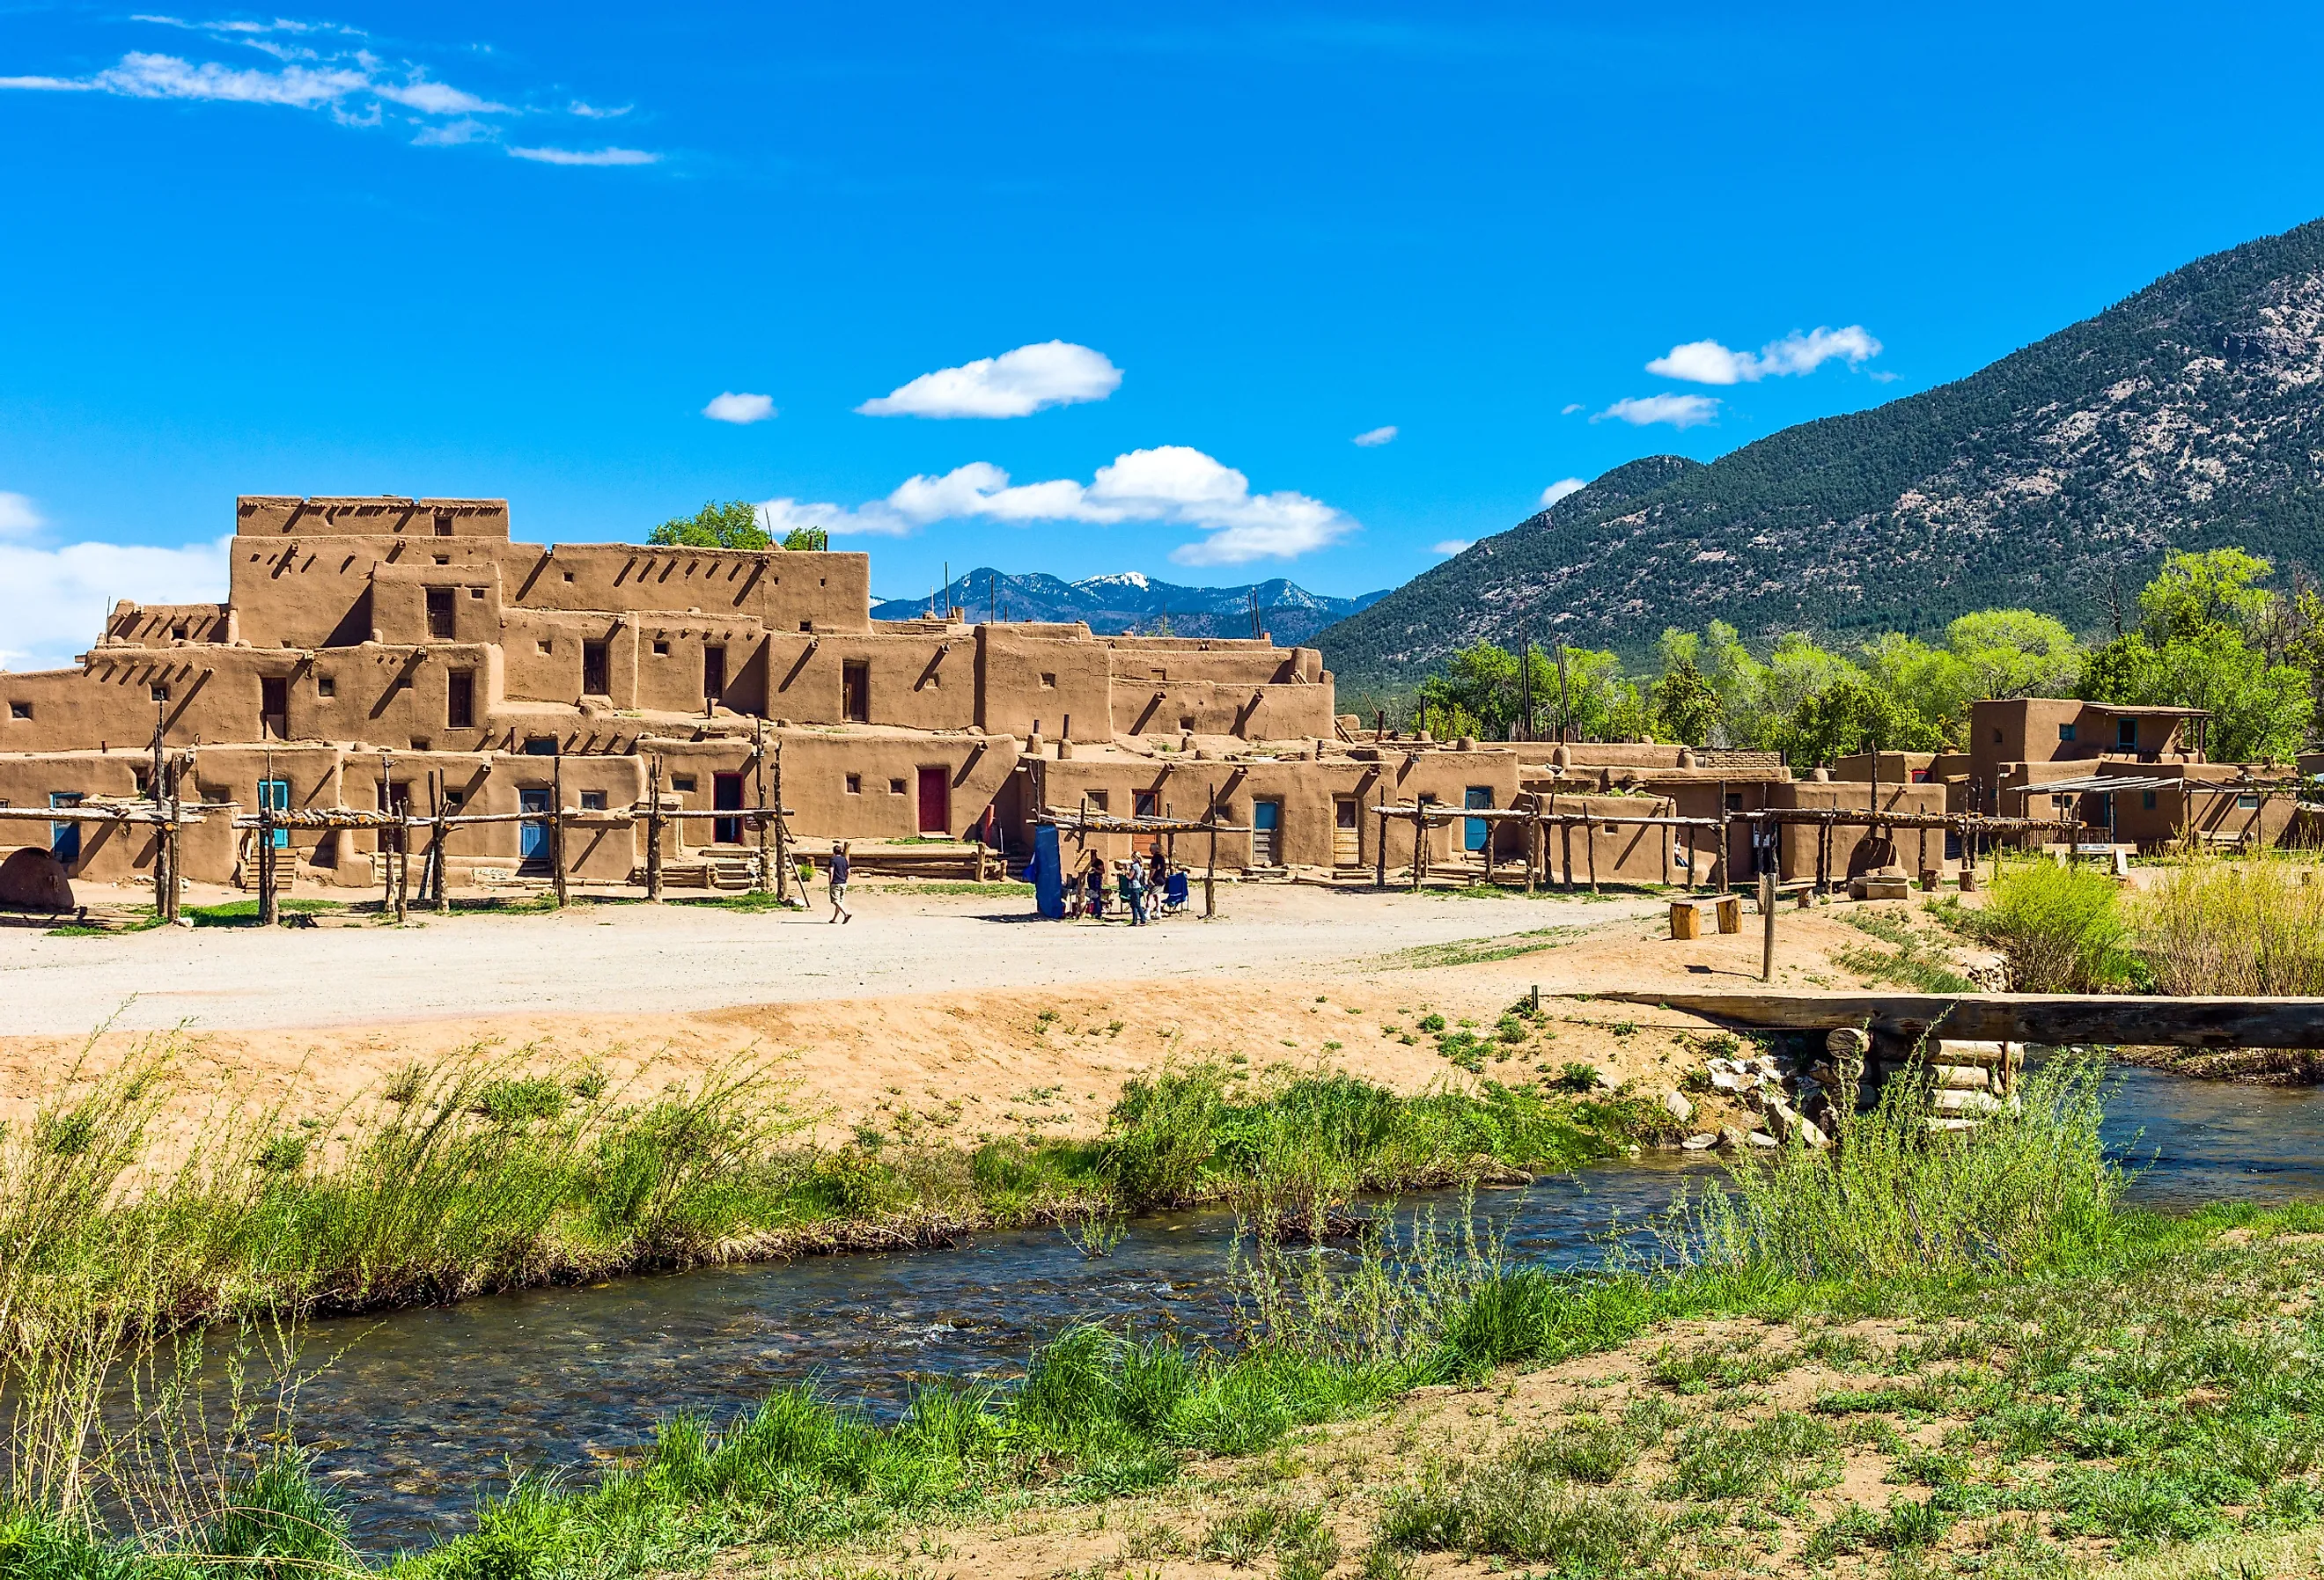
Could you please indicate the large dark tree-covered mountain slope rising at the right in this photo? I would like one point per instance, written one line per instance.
(2186, 417)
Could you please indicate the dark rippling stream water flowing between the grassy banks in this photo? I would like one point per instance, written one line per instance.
(419, 1414)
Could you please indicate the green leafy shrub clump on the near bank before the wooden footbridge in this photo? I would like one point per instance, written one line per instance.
(1898, 1200)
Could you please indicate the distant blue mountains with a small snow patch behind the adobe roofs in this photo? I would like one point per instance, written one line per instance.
(1135, 603)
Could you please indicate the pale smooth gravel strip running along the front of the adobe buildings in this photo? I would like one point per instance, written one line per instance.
(636, 958)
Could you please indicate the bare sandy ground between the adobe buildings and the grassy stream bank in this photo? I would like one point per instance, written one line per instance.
(931, 1014)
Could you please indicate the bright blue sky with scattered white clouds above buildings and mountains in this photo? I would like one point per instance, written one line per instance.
(519, 252)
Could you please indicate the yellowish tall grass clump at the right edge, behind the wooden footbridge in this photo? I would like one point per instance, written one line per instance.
(2251, 926)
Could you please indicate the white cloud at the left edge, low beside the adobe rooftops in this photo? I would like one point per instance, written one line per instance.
(59, 596)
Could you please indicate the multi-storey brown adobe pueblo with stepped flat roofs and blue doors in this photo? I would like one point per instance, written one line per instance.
(382, 654)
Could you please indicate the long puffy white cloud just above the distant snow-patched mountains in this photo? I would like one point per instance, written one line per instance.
(1168, 484)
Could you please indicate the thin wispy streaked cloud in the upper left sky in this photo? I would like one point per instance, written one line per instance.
(329, 69)
